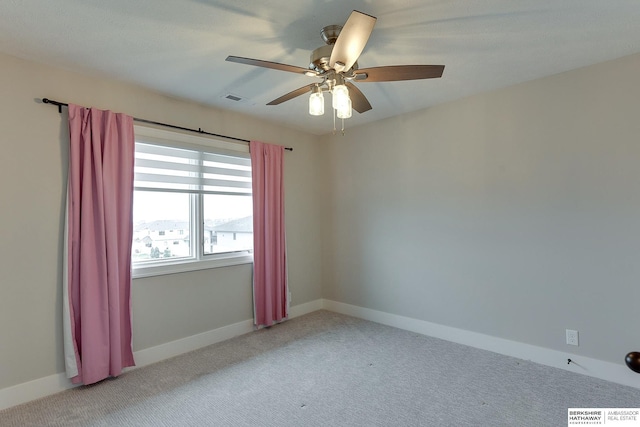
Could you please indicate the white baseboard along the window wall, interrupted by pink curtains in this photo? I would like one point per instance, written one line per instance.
(41, 387)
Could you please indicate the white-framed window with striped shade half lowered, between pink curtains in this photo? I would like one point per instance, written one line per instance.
(192, 205)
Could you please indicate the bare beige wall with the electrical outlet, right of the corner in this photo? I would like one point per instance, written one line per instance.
(514, 213)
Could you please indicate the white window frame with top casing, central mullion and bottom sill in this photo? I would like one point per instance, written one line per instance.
(199, 260)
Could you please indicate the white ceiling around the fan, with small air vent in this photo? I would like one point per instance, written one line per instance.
(179, 47)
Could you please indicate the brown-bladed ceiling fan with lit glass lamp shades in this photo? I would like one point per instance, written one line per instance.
(336, 64)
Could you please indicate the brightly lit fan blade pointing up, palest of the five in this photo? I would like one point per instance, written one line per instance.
(352, 40)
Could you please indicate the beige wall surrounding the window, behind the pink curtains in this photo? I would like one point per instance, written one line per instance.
(32, 190)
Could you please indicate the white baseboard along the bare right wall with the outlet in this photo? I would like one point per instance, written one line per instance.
(618, 373)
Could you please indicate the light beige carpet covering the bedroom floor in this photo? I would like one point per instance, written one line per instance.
(326, 369)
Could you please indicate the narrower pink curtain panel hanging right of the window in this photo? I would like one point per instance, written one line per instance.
(269, 249)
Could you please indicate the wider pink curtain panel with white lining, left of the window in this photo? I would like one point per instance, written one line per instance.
(99, 233)
